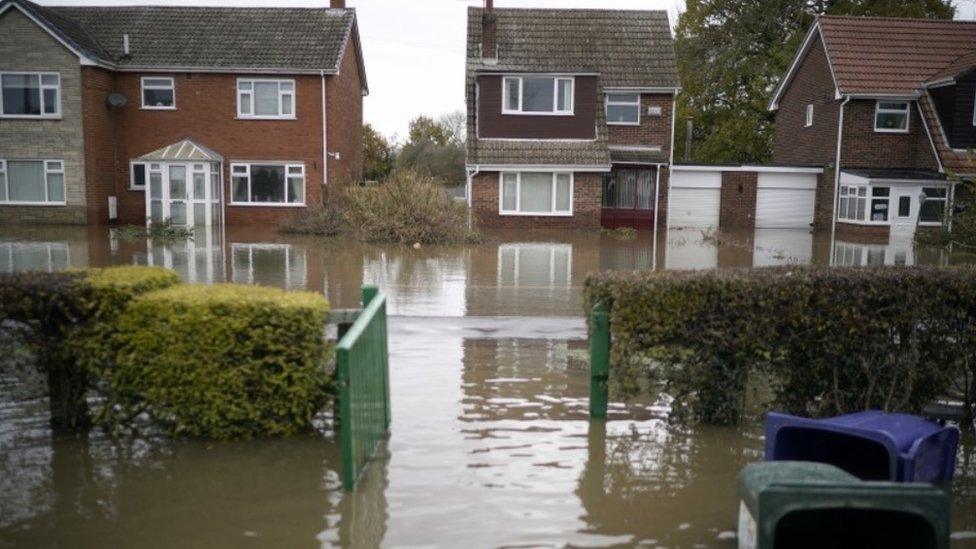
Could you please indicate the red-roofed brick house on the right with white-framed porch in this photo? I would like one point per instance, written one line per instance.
(885, 106)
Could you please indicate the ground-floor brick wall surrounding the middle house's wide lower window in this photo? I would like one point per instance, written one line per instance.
(587, 194)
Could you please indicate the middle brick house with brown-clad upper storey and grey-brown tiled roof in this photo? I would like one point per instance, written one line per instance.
(570, 116)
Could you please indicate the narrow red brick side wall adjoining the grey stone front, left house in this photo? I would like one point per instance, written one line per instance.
(100, 127)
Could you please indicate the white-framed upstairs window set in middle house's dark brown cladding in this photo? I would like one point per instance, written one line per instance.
(537, 95)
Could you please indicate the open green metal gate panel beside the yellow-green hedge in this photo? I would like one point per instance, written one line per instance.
(364, 387)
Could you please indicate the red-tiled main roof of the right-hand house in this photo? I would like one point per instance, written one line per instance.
(875, 55)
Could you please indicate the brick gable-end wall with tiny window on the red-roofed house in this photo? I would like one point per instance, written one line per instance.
(793, 142)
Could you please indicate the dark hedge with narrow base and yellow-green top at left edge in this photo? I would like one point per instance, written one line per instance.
(70, 317)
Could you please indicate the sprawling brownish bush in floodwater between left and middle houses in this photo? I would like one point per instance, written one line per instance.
(406, 208)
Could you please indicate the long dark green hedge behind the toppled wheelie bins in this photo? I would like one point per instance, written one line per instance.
(827, 340)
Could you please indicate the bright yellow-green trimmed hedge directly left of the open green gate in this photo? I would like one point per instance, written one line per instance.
(222, 361)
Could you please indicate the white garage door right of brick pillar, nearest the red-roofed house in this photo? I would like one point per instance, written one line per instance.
(785, 200)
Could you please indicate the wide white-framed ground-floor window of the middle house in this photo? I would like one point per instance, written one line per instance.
(536, 193)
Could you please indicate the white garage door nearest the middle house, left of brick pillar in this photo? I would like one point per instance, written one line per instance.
(695, 200)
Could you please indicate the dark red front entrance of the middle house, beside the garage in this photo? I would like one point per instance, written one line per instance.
(628, 198)
